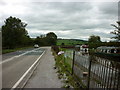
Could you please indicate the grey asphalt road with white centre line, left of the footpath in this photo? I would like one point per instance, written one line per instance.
(16, 64)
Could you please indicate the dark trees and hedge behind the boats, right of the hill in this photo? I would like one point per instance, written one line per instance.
(95, 41)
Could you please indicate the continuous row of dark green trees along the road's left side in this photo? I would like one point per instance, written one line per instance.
(14, 35)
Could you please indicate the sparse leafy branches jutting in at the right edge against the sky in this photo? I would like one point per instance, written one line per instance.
(116, 32)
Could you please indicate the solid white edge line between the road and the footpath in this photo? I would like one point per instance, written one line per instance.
(18, 82)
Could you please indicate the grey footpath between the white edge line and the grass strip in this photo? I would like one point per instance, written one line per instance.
(45, 75)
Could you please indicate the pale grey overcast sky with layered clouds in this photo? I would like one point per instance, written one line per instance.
(76, 19)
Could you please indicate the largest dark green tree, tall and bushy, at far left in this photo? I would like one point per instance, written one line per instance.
(14, 33)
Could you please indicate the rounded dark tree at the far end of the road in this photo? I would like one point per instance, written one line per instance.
(51, 38)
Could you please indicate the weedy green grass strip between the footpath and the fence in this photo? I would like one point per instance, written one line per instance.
(64, 71)
